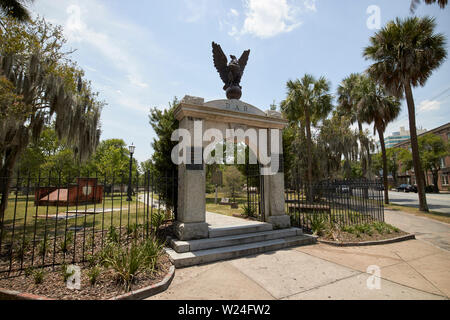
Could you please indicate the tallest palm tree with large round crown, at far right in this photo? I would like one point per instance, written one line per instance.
(405, 53)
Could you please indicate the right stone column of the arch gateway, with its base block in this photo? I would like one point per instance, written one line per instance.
(277, 209)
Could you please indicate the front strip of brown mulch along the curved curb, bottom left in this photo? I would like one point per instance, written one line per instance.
(107, 286)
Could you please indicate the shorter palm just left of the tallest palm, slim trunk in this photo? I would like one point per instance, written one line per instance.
(380, 109)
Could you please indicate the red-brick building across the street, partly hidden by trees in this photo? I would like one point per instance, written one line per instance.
(444, 174)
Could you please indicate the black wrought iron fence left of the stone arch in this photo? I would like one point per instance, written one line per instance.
(52, 218)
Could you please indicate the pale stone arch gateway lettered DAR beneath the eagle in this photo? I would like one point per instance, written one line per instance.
(222, 115)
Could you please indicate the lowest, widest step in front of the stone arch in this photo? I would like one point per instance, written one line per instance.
(187, 259)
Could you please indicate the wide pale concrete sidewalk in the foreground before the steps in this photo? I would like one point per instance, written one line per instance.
(409, 270)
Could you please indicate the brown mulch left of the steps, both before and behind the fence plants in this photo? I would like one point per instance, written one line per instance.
(53, 286)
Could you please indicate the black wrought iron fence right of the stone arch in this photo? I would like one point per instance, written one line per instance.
(345, 202)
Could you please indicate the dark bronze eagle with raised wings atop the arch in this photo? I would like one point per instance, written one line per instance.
(230, 73)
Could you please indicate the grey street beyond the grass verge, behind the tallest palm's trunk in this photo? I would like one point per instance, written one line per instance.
(436, 202)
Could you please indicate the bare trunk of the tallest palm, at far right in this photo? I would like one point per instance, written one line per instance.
(423, 206)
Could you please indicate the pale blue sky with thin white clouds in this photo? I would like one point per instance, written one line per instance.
(140, 54)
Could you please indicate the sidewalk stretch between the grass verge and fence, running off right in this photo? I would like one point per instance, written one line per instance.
(432, 231)
